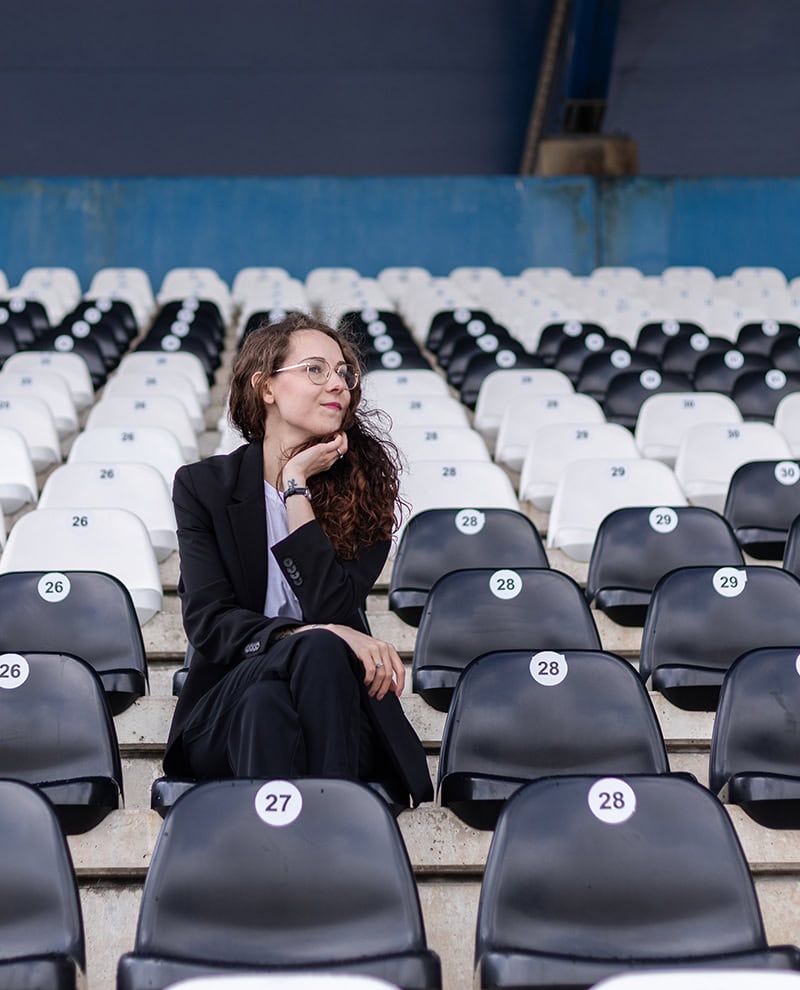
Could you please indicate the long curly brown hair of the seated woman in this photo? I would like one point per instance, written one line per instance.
(357, 501)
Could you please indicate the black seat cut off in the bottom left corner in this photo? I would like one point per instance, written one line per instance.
(41, 928)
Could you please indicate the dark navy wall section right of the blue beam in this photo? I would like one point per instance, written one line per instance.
(709, 87)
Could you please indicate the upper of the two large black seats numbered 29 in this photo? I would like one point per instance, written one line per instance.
(635, 547)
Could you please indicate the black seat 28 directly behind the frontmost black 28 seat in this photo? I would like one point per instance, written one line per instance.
(518, 716)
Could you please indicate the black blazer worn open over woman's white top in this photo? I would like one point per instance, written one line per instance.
(222, 535)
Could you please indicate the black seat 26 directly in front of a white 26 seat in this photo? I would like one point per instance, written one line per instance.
(86, 613)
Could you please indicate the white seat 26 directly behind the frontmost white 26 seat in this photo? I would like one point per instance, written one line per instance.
(139, 488)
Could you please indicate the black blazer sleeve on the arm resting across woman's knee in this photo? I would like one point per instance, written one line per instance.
(216, 624)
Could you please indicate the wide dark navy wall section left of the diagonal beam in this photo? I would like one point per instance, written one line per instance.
(267, 87)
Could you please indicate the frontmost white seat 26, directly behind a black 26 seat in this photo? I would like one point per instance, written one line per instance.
(111, 540)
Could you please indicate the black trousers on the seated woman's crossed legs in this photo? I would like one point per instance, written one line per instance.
(293, 711)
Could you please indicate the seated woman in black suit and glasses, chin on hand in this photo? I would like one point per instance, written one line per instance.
(280, 542)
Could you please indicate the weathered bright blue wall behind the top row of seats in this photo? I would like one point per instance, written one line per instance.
(370, 223)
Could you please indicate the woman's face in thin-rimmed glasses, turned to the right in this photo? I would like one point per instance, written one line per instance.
(297, 408)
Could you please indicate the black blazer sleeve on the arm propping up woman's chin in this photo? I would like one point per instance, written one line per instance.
(329, 588)
